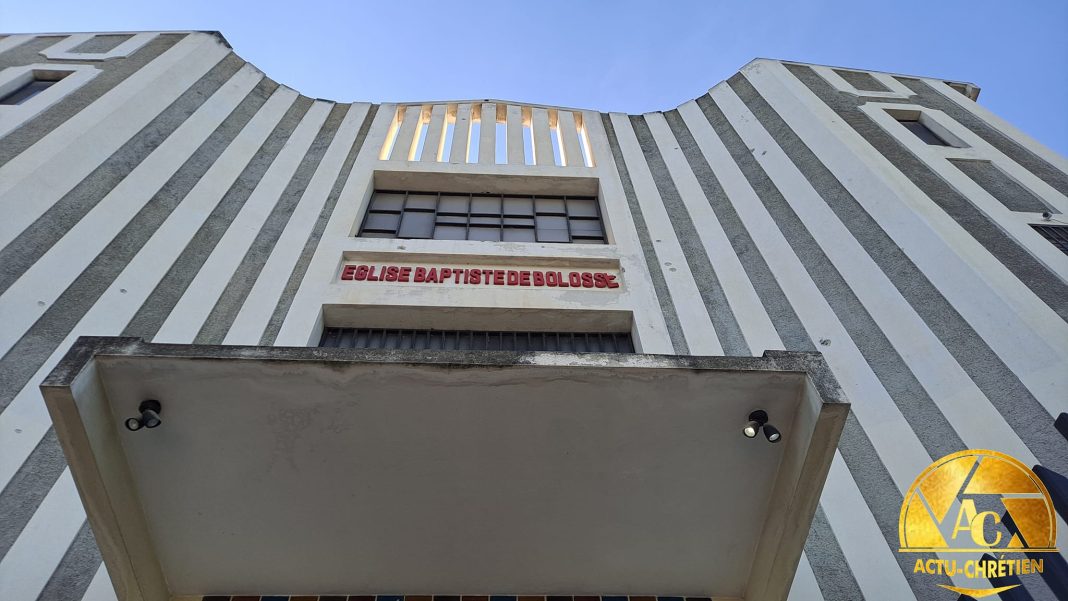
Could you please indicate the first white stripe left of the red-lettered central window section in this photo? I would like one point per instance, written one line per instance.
(257, 312)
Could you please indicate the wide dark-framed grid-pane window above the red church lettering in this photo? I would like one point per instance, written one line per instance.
(509, 218)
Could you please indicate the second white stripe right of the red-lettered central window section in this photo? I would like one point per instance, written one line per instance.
(749, 311)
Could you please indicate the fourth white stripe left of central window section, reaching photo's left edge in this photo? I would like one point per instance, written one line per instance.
(39, 288)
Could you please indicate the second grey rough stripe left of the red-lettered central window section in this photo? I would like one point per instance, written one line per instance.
(233, 297)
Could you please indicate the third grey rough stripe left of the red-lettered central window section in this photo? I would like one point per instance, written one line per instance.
(162, 302)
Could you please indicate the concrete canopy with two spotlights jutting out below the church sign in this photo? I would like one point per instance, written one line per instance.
(319, 471)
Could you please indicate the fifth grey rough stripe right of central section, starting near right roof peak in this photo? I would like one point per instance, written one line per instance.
(1000, 385)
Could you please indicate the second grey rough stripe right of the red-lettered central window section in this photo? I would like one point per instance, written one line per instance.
(712, 293)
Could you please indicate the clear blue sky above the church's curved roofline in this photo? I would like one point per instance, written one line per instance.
(611, 56)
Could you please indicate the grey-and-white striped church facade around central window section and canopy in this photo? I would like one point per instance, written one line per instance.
(181, 196)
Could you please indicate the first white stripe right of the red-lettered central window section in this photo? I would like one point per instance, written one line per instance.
(693, 315)
